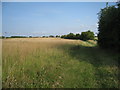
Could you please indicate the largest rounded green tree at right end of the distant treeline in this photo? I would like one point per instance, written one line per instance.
(88, 35)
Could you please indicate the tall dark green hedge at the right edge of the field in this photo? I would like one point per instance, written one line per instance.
(109, 27)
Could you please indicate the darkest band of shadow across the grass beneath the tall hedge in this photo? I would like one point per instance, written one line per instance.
(94, 55)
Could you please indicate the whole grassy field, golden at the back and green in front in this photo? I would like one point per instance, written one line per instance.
(57, 63)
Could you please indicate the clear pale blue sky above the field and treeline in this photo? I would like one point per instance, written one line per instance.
(50, 18)
